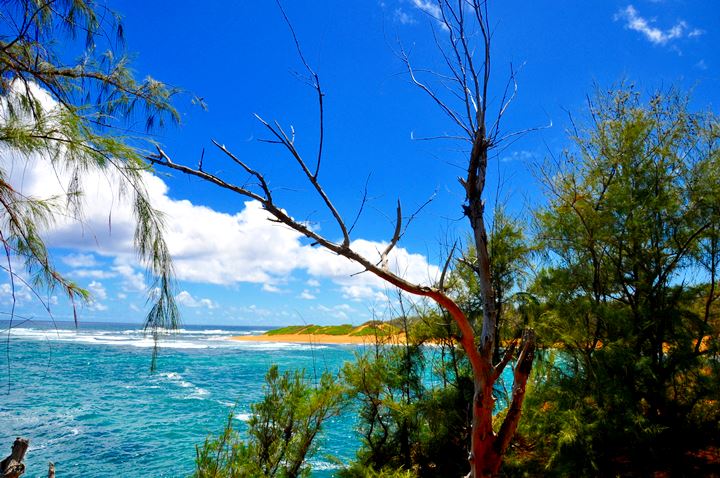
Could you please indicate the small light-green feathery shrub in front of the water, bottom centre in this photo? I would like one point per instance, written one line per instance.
(282, 430)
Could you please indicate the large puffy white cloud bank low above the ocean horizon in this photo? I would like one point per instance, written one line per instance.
(207, 246)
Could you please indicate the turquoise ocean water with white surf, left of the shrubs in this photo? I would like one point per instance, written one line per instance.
(87, 400)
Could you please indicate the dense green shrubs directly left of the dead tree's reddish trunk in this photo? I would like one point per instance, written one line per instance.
(409, 424)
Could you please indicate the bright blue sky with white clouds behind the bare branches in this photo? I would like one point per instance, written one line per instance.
(236, 268)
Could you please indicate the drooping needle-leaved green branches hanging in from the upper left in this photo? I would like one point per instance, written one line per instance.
(75, 116)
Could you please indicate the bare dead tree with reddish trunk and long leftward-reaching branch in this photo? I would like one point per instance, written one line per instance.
(461, 22)
